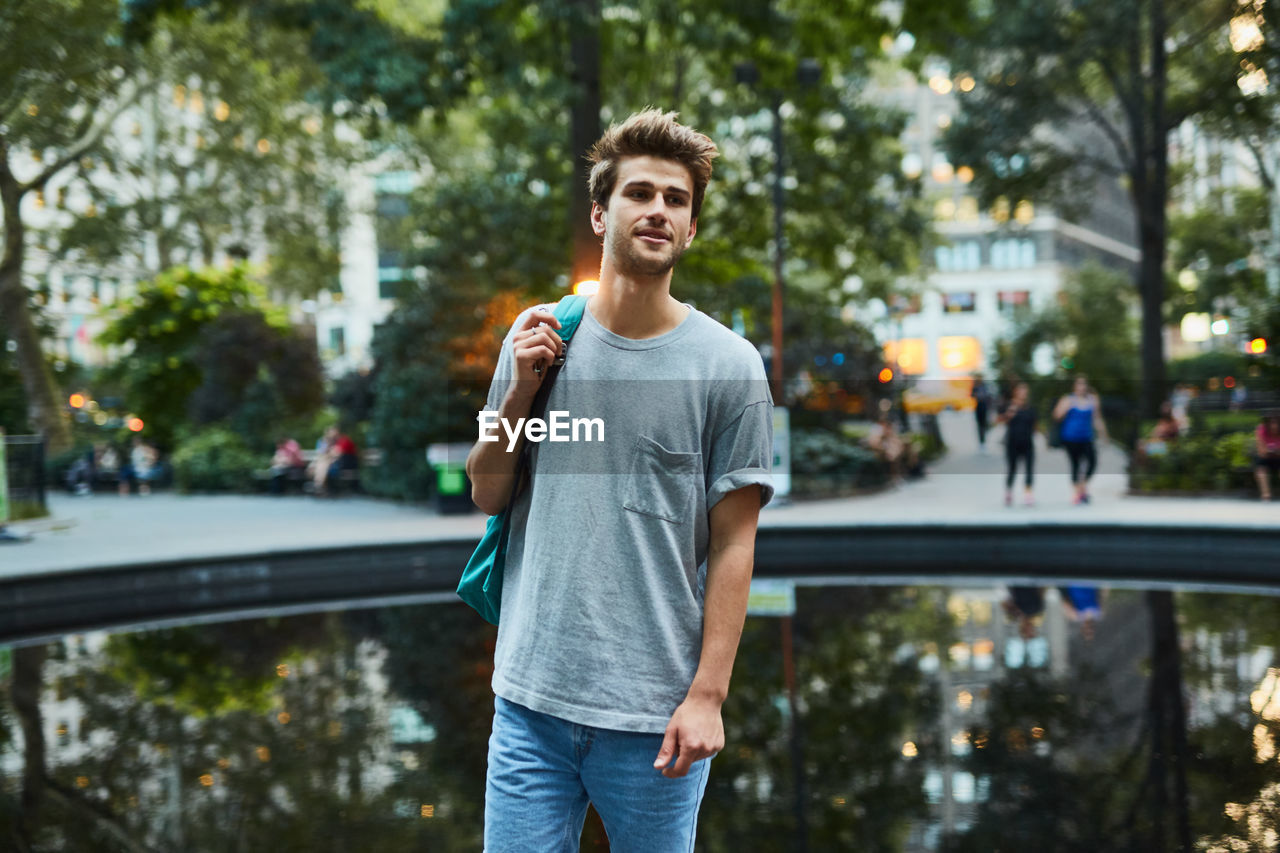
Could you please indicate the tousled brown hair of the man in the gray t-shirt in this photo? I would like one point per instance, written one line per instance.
(651, 134)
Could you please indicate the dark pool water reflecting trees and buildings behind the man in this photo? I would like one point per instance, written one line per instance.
(927, 719)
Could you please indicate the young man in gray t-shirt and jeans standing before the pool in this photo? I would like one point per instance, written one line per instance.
(630, 559)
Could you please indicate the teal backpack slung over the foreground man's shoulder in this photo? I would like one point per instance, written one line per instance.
(482, 581)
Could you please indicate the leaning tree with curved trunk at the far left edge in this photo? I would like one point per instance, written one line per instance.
(62, 94)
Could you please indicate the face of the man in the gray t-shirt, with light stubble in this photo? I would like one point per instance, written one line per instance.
(650, 223)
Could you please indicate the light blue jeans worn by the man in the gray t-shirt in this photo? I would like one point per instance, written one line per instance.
(545, 770)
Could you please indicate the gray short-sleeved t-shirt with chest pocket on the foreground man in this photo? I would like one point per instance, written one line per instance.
(602, 603)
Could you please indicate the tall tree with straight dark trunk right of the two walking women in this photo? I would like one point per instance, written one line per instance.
(1071, 95)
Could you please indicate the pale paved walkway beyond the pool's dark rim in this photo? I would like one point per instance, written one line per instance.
(964, 489)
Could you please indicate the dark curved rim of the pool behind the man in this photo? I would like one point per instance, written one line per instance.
(1227, 559)
